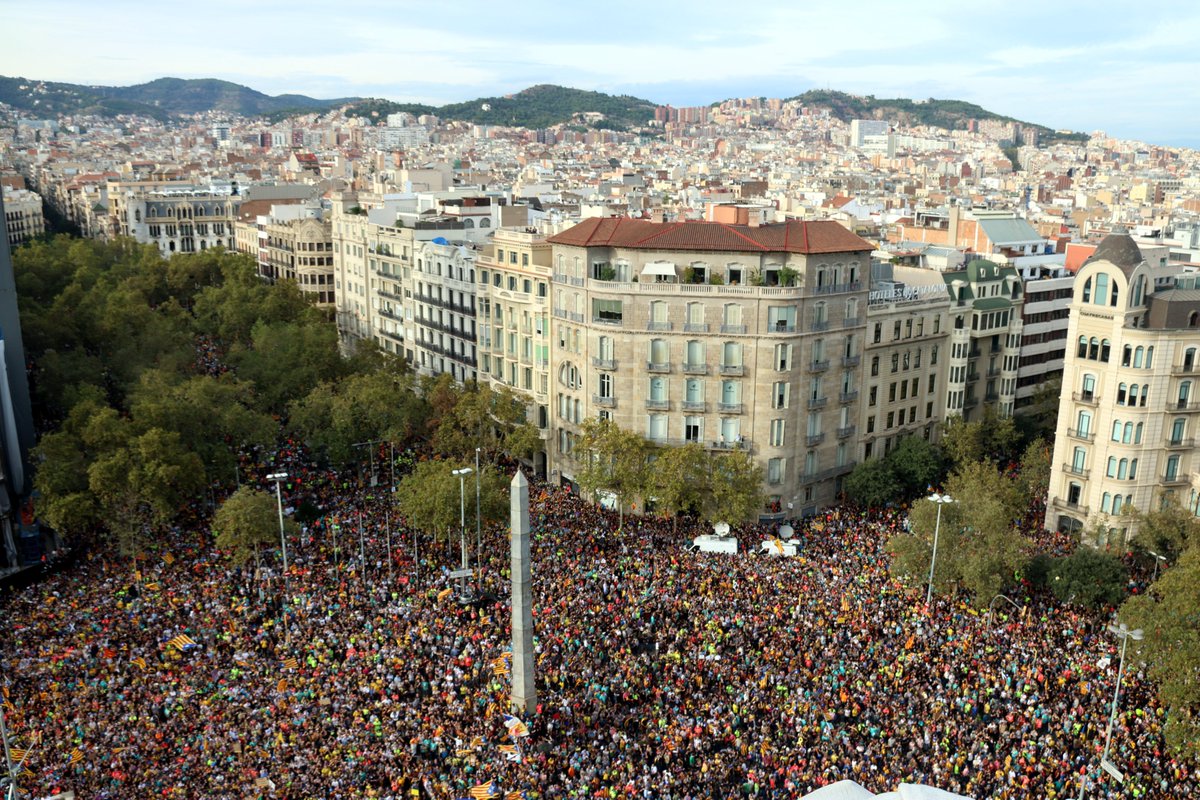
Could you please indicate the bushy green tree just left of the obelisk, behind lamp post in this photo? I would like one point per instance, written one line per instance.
(430, 498)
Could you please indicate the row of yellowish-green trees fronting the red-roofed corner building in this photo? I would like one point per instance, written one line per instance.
(718, 488)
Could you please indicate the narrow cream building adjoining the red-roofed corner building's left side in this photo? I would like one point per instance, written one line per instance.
(513, 300)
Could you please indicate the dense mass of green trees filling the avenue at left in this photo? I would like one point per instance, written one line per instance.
(154, 377)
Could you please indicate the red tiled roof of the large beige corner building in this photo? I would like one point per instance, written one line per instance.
(795, 237)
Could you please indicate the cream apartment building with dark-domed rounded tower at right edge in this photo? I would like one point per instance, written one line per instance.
(1130, 412)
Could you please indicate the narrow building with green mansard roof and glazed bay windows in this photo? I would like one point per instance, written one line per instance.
(986, 339)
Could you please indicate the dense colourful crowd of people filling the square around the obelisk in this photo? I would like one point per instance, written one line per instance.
(662, 673)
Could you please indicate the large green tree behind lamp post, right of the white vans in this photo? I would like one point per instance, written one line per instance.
(979, 548)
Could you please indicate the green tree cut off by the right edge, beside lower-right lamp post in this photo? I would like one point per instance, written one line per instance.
(1172, 648)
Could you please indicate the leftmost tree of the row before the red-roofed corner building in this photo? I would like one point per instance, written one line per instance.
(613, 460)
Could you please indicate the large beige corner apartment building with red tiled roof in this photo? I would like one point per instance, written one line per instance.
(730, 336)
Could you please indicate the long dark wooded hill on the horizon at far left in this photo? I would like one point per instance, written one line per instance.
(159, 99)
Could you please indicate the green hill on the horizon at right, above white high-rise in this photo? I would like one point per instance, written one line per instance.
(950, 115)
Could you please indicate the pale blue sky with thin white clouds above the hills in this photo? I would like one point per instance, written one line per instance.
(1132, 70)
